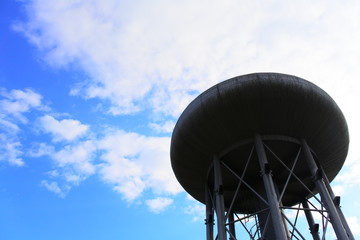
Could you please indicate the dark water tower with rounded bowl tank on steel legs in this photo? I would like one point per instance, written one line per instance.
(257, 147)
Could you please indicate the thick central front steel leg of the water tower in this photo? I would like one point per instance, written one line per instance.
(277, 219)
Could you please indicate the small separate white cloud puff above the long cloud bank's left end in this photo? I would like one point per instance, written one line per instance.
(66, 129)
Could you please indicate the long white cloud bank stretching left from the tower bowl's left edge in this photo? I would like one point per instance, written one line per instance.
(130, 162)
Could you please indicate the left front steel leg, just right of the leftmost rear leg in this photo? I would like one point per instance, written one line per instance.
(219, 200)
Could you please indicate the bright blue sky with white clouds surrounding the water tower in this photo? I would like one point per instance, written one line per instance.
(90, 92)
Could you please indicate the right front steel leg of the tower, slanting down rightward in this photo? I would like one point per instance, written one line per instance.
(325, 196)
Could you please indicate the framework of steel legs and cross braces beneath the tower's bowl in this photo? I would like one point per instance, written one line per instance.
(262, 206)
